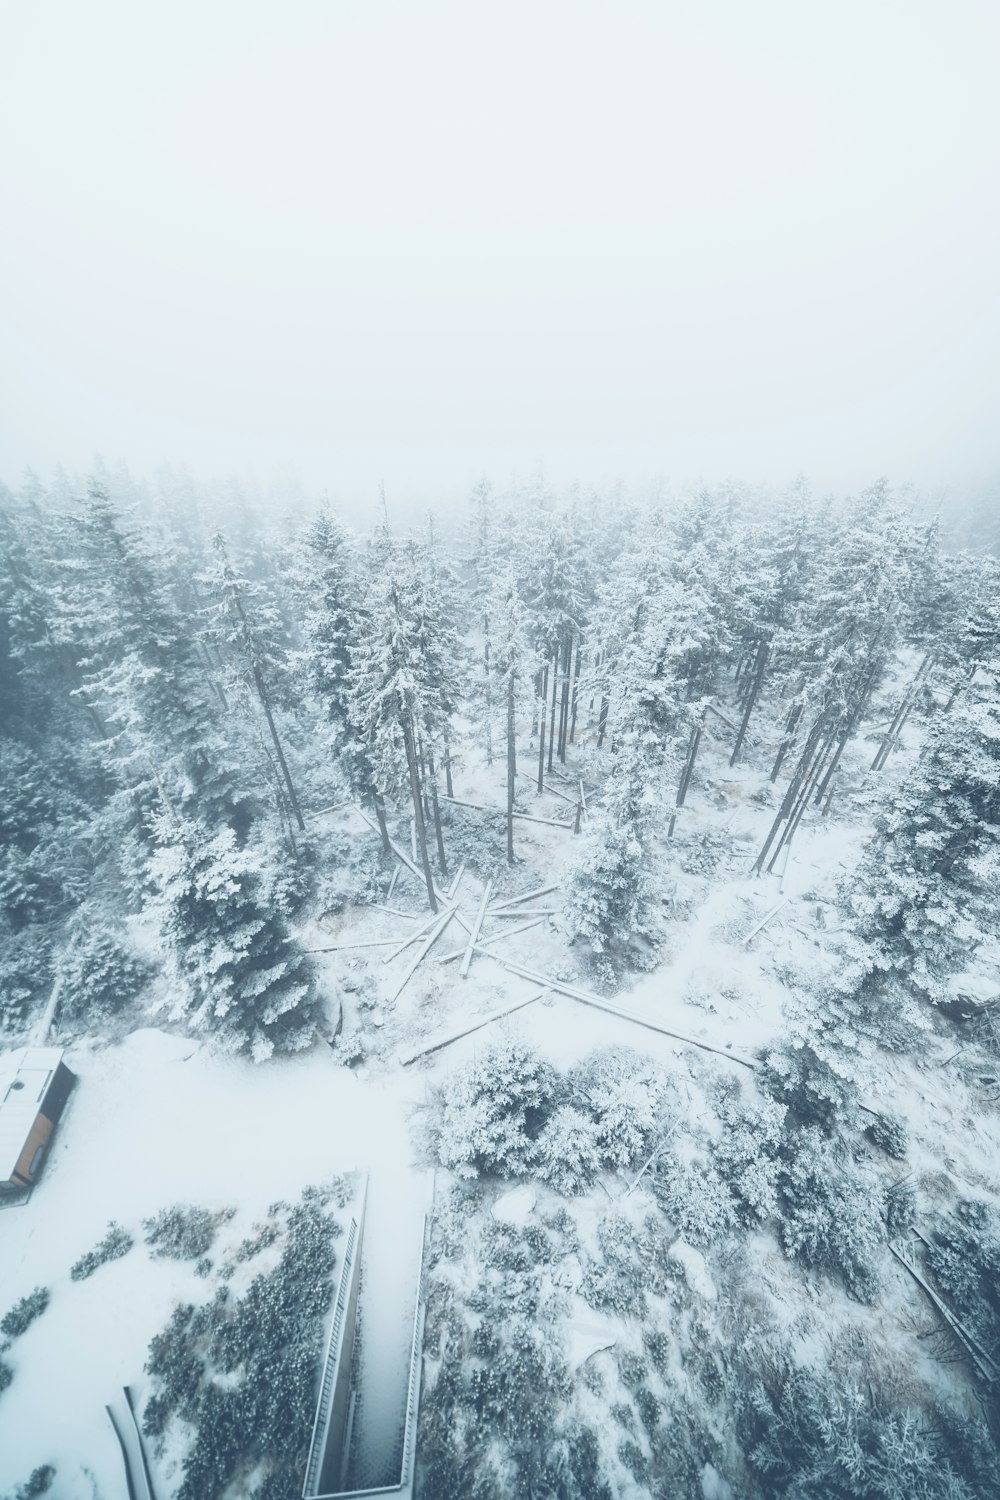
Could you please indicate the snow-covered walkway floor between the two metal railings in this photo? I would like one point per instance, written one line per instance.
(391, 1267)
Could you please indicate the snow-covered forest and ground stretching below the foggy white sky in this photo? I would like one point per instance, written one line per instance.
(612, 880)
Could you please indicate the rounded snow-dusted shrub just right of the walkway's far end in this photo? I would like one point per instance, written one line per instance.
(494, 1111)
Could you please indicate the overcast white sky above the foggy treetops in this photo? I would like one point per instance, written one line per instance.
(419, 241)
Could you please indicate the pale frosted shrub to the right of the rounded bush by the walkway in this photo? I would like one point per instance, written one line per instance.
(626, 1094)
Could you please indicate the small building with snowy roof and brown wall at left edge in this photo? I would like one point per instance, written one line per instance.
(35, 1085)
